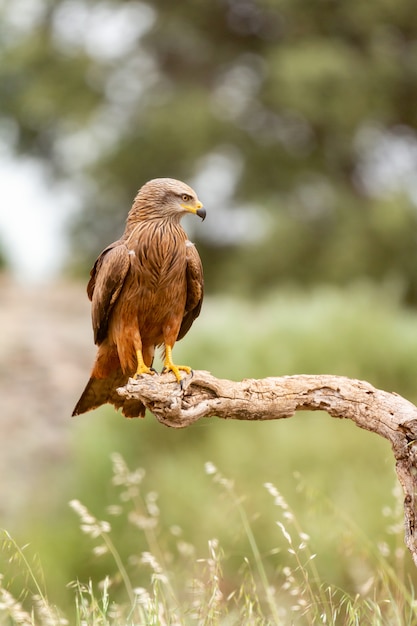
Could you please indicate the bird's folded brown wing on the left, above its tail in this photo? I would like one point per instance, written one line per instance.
(107, 279)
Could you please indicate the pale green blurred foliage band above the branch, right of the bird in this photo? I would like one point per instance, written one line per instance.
(317, 331)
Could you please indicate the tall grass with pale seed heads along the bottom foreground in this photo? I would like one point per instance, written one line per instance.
(170, 583)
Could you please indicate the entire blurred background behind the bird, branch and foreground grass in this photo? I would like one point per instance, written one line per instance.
(296, 122)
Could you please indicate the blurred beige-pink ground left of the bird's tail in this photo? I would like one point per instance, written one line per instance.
(46, 352)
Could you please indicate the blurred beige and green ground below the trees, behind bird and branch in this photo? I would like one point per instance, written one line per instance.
(336, 477)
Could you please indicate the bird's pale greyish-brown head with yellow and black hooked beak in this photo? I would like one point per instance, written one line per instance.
(165, 198)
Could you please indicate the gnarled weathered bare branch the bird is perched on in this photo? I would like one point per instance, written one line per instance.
(203, 395)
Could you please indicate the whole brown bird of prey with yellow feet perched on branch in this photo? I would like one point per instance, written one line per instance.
(146, 290)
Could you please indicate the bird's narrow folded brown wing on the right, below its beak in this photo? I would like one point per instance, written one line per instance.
(195, 289)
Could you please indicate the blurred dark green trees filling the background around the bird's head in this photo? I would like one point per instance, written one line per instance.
(305, 111)
